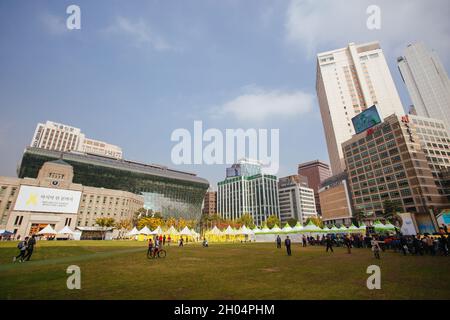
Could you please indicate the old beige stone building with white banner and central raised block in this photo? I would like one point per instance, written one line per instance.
(28, 205)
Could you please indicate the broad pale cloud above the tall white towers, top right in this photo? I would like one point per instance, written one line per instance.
(313, 25)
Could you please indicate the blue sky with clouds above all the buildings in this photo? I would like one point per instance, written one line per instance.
(138, 70)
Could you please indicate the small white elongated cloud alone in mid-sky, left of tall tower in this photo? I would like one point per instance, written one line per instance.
(259, 105)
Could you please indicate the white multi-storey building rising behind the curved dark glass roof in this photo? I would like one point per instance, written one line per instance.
(60, 137)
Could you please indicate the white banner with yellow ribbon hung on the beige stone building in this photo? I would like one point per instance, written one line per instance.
(37, 199)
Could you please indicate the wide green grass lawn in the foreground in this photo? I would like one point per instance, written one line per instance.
(120, 270)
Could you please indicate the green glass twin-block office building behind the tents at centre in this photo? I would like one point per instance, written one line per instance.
(248, 190)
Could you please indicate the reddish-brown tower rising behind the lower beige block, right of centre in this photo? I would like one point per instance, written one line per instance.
(316, 172)
